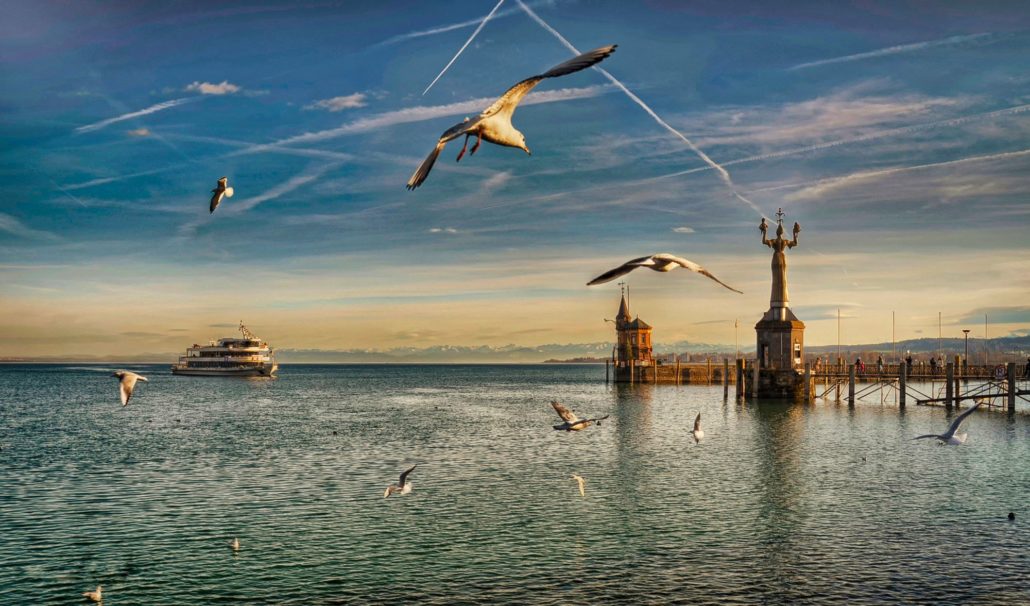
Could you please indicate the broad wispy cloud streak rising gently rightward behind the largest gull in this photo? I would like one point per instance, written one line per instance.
(424, 113)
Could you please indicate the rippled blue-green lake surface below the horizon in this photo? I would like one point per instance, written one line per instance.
(780, 504)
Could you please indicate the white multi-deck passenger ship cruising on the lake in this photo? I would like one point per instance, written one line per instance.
(230, 357)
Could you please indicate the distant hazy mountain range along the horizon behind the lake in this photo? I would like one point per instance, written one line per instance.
(555, 353)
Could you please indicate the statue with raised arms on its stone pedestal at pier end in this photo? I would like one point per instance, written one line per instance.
(780, 333)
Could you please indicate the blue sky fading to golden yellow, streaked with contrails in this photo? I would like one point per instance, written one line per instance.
(898, 134)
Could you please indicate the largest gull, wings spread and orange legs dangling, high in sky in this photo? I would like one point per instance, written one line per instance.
(495, 124)
